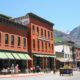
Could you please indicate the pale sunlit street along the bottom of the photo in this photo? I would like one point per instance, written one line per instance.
(44, 76)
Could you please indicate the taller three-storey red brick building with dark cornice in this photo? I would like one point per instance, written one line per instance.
(40, 40)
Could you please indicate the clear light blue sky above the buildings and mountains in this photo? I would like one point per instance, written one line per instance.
(65, 14)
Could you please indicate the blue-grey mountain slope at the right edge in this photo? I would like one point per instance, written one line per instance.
(75, 35)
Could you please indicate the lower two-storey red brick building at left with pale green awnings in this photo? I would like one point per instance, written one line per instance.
(13, 43)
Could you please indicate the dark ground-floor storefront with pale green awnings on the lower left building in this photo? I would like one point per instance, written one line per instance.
(9, 58)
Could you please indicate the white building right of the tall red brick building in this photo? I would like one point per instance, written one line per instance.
(64, 54)
